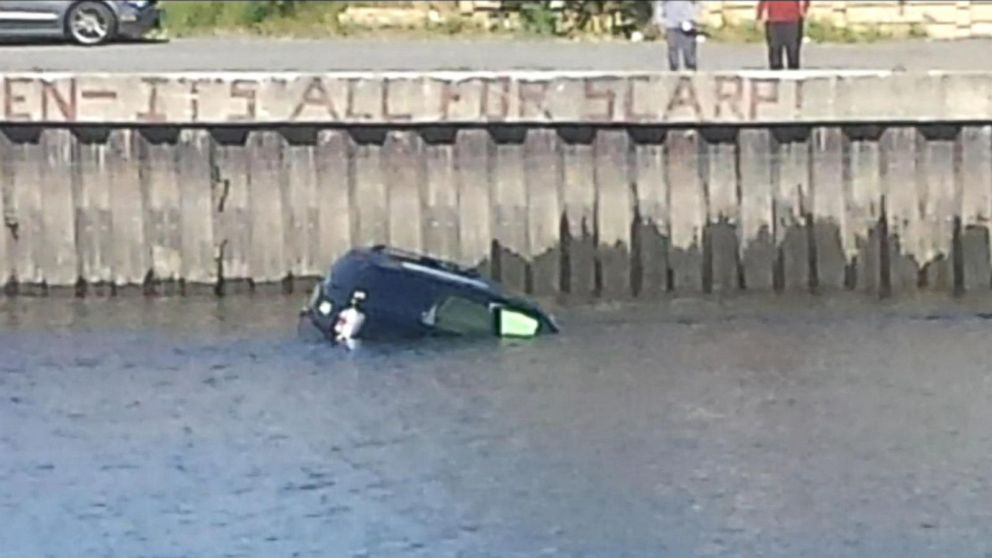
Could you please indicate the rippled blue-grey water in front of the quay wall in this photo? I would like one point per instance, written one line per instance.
(781, 427)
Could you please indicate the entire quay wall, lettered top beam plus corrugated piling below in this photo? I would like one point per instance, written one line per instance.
(586, 184)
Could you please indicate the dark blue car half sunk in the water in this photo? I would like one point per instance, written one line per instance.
(380, 293)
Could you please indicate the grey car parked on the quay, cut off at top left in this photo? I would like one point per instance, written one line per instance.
(85, 22)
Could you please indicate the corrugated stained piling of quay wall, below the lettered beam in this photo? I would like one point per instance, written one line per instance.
(580, 211)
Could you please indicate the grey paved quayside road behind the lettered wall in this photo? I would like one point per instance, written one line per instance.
(252, 54)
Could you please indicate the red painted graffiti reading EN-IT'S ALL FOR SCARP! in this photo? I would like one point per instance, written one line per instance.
(419, 99)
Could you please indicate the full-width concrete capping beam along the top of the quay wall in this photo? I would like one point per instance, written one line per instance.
(398, 98)
